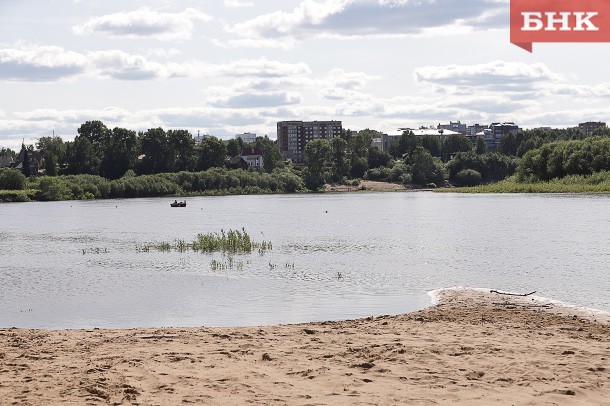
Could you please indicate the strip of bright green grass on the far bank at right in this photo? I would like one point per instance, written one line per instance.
(595, 183)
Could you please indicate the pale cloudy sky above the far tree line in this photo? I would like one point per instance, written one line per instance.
(223, 67)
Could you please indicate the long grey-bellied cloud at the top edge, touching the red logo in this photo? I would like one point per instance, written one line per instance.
(357, 18)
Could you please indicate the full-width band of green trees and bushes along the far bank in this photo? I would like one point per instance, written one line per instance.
(101, 162)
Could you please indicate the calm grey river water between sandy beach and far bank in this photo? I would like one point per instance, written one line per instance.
(335, 256)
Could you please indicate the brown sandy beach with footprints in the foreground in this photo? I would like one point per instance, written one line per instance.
(472, 348)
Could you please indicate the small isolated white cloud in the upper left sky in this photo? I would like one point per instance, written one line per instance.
(144, 23)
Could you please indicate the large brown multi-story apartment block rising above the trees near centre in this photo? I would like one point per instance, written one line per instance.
(292, 136)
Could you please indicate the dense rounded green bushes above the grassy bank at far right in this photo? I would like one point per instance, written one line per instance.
(560, 159)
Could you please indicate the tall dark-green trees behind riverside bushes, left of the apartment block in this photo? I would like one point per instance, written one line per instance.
(110, 153)
